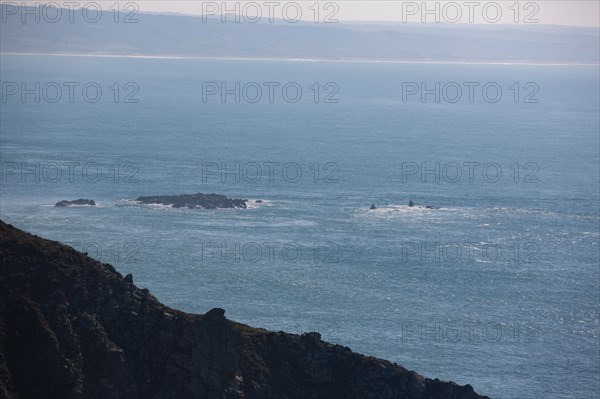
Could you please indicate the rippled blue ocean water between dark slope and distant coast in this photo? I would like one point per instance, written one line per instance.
(499, 288)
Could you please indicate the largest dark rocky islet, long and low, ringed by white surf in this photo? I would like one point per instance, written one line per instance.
(207, 201)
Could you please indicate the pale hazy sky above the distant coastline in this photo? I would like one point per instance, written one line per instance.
(578, 12)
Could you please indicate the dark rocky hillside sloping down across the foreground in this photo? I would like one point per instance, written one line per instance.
(71, 327)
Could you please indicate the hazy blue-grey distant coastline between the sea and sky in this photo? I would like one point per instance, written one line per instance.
(166, 36)
